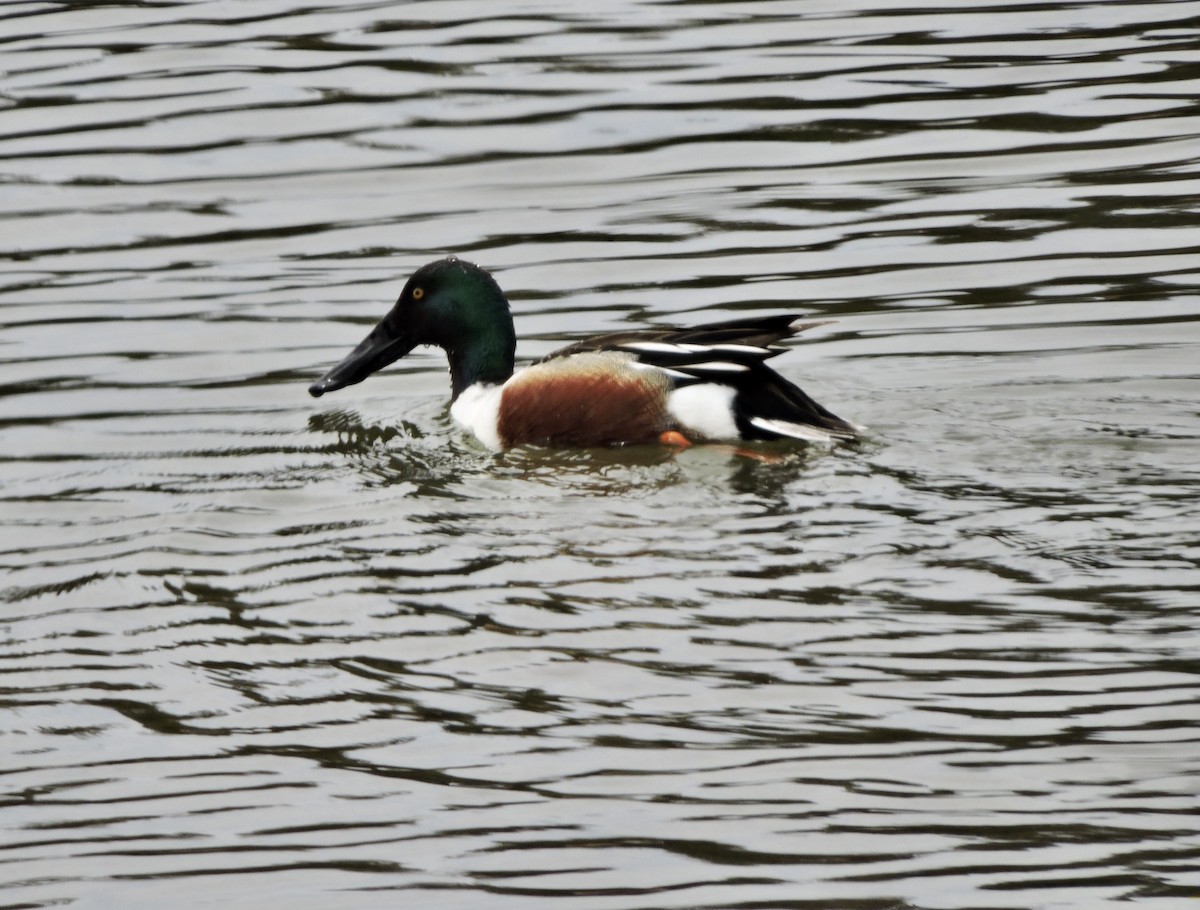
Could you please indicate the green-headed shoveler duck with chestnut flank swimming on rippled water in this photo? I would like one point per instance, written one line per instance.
(704, 385)
